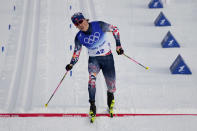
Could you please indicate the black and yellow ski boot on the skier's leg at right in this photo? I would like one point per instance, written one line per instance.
(110, 103)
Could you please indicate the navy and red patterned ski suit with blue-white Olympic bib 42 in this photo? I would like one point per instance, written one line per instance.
(100, 55)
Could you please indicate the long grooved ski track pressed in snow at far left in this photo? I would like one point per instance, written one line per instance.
(21, 89)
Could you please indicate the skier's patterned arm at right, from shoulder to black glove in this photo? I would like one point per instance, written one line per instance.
(114, 29)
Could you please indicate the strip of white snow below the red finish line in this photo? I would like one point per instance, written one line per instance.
(105, 124)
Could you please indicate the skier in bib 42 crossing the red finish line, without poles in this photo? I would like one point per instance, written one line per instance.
(92, 35)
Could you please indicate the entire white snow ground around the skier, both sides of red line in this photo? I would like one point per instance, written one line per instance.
(37, 49)
